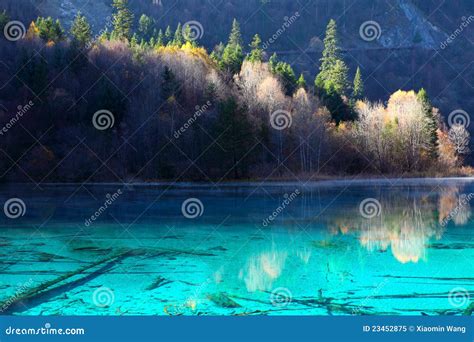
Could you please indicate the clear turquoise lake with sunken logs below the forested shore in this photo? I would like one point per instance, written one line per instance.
(320, 253)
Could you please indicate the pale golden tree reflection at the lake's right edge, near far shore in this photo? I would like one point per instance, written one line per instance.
(407, 223)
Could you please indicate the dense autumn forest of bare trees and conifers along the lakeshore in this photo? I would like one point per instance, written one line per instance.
(138, 101)
